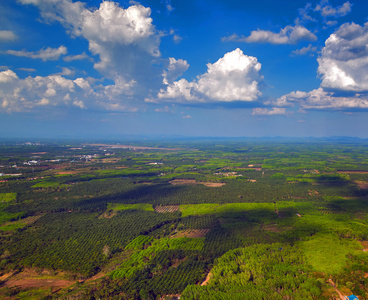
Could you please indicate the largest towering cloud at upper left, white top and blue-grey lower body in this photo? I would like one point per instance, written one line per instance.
(124, 39)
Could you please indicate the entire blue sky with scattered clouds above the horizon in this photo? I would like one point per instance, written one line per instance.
(190, 68)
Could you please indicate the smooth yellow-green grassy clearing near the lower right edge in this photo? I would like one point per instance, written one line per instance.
(328, 253)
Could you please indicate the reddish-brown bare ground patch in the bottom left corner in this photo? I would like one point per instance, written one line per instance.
(32, 279)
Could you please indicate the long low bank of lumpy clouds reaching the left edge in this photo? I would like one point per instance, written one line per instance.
(18, 94)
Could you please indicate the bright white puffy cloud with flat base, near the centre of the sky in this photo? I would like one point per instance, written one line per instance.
(234, 77)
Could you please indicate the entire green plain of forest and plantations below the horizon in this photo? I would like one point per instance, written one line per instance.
(195, 219)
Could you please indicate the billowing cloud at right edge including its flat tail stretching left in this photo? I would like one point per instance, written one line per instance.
(343, 68)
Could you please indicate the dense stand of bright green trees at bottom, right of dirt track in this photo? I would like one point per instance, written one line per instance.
(274, 271)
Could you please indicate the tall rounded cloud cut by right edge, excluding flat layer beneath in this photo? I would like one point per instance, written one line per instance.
(343, 64)
